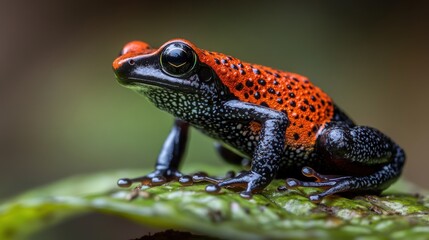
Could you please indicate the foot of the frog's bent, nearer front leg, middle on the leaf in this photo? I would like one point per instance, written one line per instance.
(250, 181)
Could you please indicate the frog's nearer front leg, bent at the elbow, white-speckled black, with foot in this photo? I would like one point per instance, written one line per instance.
(269, 148)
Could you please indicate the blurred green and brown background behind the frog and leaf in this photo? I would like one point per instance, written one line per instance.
(62, 112)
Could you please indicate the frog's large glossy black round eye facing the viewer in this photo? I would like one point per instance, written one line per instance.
(178, 59)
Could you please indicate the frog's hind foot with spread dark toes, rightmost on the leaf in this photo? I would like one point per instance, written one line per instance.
(332, 184)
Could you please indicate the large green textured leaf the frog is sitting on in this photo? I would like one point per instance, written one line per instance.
(401, 213)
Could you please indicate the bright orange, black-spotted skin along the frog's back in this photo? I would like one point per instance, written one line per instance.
(308, 108)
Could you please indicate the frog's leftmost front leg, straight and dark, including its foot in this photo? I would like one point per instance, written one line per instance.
(167, 164)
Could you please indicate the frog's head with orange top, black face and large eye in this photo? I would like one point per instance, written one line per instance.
(174, 66)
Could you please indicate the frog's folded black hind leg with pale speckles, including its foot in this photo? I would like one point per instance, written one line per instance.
(368, 160)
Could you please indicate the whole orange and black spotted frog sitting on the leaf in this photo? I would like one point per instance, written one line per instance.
(277, 124)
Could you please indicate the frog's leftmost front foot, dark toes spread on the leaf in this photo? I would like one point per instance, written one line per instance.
(155, 178)
